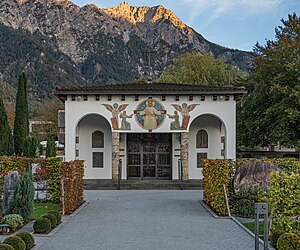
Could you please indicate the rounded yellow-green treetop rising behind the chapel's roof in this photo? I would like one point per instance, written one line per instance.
(201, 69)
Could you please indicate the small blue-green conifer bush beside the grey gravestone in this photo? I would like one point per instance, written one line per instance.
(22, 201)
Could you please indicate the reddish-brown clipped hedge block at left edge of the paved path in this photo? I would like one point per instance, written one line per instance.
(71, 174)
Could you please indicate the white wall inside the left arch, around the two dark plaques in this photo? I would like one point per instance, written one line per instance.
(85, 128)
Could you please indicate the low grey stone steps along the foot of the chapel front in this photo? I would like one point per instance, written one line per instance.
(142, 184)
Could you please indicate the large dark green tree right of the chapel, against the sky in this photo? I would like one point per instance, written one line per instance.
(270, 113)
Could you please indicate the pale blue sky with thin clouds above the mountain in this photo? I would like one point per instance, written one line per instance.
(236, 24)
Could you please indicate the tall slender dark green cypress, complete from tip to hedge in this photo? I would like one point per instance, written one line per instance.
(21, 125)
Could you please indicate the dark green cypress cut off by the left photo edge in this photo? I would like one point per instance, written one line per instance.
(6, 142)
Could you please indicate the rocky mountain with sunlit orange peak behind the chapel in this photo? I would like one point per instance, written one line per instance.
(59, 43)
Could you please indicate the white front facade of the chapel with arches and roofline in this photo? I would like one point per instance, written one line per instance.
(214, 114)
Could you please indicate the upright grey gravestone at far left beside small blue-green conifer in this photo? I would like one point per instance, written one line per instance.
(10, 181)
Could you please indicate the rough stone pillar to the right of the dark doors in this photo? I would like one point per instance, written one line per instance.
(184, 150)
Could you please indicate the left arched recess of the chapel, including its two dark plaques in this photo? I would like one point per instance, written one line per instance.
(94, 146)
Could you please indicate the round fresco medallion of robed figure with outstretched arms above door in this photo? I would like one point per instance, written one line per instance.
(150, 114)
